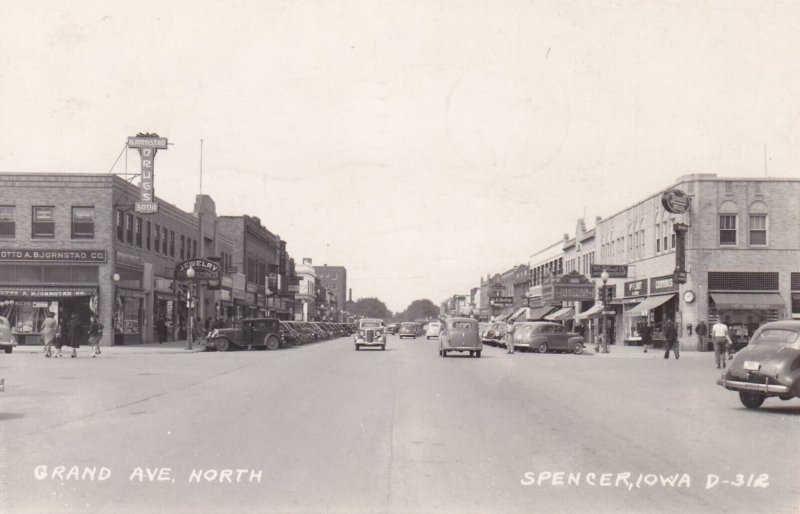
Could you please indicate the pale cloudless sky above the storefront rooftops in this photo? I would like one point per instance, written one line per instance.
(420, 144)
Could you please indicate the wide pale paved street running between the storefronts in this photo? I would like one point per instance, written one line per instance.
(322, 428)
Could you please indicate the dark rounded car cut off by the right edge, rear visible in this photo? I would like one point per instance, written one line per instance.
(768, 366)
